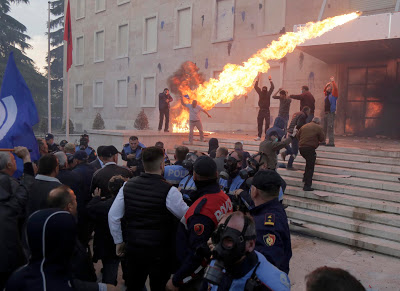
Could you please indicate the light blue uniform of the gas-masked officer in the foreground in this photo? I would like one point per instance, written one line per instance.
(269, 277)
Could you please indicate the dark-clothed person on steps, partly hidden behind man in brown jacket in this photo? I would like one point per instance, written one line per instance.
(298, 120)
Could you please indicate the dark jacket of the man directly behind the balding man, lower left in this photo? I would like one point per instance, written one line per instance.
(39, 193)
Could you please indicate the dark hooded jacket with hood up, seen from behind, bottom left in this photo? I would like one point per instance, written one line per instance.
(51, 235)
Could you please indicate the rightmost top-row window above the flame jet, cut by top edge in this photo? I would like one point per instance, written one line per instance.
(271, 17)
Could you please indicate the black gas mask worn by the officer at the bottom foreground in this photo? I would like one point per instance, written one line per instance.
(230, 247)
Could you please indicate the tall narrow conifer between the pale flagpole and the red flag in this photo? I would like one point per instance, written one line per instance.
(56, 55)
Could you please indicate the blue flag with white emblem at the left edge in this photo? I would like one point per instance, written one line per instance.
(17, 112)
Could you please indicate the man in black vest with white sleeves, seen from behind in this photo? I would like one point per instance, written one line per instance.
(149, 205)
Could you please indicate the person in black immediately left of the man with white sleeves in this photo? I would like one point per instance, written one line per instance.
(103, 244)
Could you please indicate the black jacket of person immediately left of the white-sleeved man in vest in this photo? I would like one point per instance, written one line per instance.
(103, 243)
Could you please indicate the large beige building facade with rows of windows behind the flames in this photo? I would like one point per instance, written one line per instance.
(125, 50)
